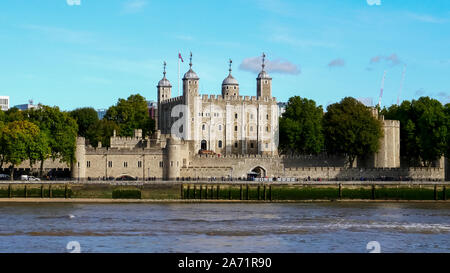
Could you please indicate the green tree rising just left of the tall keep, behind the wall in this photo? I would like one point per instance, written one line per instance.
(131, 114)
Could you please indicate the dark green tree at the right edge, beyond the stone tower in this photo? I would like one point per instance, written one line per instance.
(424, 130)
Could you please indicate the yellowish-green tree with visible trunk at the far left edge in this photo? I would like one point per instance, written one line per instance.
(16, 139)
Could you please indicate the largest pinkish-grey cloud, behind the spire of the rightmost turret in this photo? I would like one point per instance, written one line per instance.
(253, 64)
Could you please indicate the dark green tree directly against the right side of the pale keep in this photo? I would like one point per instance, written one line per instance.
(301, 127)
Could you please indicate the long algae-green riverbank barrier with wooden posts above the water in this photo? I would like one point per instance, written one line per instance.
(259, 192)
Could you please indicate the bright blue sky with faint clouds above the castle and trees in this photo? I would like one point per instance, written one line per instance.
(90, 53)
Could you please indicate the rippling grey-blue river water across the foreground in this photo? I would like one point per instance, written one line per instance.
(208, 227)
